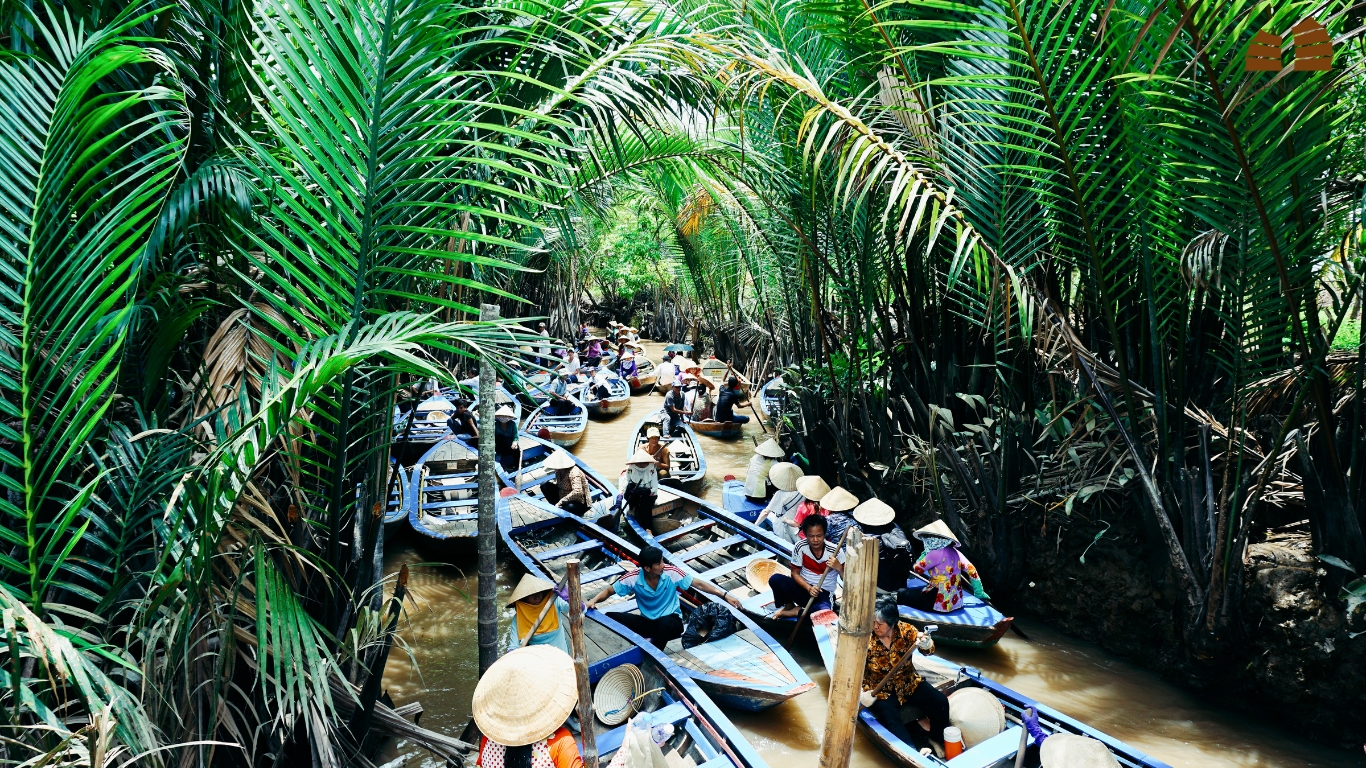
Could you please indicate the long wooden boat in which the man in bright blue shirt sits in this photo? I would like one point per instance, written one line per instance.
(748, 670)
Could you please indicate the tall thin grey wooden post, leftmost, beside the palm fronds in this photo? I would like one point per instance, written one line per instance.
(488, 542)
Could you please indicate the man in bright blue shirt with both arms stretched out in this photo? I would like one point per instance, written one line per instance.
(656, 591)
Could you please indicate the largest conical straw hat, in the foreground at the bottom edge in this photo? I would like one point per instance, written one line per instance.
(525, 696)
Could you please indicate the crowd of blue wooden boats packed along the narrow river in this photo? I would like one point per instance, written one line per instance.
(434, 499)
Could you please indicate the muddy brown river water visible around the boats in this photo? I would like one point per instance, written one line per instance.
(438, 661)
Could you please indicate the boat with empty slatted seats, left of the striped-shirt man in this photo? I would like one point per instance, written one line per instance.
(716, 547)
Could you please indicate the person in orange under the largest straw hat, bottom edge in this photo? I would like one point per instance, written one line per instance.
(521, 706)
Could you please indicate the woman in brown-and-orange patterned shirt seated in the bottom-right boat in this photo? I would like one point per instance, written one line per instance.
(893, 640)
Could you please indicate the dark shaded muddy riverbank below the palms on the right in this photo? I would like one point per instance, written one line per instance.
(1301, 665)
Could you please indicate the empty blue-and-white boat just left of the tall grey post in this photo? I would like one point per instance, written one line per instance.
(443, 499)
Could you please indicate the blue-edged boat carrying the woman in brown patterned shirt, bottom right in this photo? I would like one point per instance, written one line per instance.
(996, 752)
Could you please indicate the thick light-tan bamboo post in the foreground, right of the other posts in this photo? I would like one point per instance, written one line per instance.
(852, 650)
